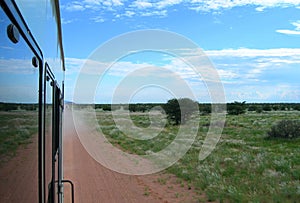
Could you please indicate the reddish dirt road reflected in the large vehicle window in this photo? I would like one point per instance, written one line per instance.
(19, 175)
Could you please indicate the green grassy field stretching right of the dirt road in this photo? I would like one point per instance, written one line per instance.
(244, 167)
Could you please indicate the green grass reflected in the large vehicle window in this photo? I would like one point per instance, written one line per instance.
(16, 129)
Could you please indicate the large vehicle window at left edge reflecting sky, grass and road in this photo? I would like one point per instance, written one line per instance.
(19, 82)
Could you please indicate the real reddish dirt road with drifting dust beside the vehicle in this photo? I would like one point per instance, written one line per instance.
(95, 183)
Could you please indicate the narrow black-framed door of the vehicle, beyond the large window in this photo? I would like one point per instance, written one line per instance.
(53, 138)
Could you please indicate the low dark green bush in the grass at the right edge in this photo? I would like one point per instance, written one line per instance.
(285, 129)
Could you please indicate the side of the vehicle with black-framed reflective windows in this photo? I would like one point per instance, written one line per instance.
(31, 101)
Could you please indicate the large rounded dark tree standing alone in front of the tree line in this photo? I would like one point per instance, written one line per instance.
(180, 110)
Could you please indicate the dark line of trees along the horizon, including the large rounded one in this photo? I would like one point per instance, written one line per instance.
(179, 110)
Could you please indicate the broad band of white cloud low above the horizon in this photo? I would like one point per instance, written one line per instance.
(244, 73)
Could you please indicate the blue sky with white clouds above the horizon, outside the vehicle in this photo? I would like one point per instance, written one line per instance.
(253, 45)
